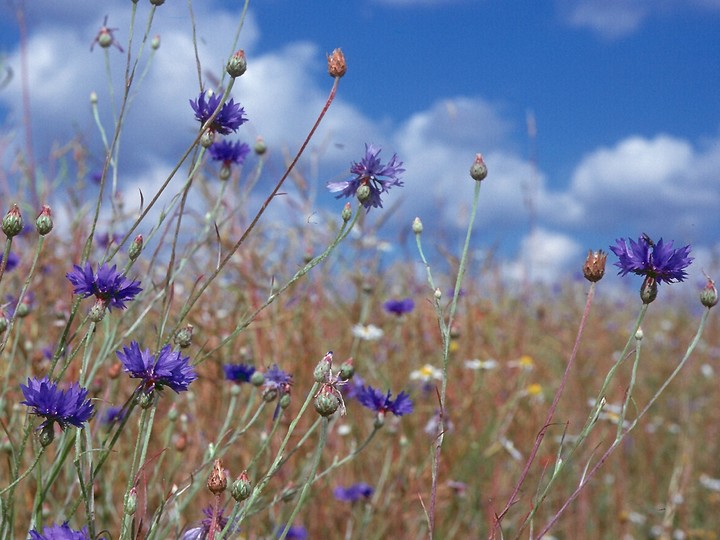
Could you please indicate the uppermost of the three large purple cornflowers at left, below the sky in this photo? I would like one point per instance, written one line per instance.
(108, 285)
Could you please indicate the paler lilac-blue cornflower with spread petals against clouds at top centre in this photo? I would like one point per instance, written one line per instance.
(371, 173)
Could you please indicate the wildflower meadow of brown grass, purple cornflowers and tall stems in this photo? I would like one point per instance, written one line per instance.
(190, 369)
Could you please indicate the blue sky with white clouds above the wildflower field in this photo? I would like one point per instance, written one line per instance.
(623, 93)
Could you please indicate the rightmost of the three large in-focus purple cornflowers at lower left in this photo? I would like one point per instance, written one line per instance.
(168, 368)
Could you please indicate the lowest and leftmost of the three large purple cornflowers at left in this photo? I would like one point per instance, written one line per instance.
(66, 407)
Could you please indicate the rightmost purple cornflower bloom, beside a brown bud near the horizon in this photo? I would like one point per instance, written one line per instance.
(655, 260)
